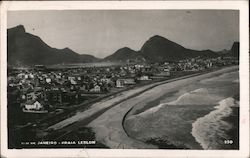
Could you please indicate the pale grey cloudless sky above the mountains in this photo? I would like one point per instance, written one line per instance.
(102, 32)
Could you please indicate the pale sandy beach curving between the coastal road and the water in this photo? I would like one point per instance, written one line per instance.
(103, 125)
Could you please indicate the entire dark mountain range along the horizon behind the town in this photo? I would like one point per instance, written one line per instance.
(27, 49)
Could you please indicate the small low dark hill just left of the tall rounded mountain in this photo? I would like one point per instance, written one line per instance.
(124, 54)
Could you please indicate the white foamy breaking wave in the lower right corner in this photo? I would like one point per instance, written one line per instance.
(209, 130)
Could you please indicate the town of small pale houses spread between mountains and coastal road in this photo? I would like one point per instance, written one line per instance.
(50, 93)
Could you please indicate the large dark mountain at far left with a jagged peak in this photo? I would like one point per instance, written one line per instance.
(26, 49)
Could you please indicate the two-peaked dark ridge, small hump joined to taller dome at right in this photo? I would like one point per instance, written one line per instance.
(158, 49)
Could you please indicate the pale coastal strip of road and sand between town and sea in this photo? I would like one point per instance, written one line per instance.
(114, 110)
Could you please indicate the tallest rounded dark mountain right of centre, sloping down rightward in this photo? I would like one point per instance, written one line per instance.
(159, 49)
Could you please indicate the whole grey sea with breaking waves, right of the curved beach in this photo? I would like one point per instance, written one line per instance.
(201, 114)
